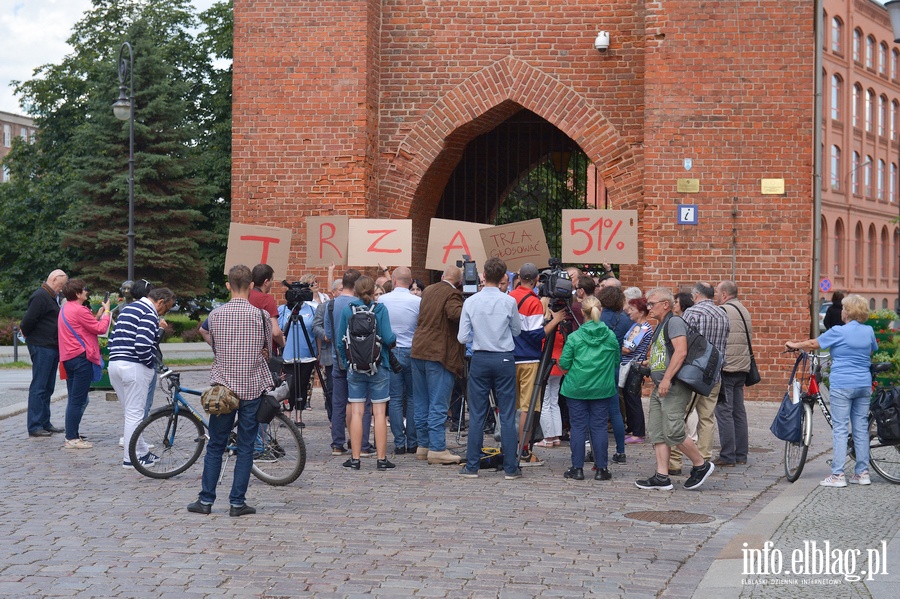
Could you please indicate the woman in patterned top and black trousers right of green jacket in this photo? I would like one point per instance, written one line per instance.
(634, 351)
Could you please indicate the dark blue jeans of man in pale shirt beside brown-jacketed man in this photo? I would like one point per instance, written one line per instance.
(492, 371)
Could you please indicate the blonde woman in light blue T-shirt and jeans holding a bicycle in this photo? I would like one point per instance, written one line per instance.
(851, 347)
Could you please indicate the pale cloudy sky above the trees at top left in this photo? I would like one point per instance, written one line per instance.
(34, 33)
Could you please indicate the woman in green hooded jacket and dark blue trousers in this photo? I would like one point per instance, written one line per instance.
(590, 355)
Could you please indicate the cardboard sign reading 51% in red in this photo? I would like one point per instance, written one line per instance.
(597, 236)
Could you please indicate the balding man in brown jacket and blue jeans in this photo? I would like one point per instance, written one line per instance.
(437, 358)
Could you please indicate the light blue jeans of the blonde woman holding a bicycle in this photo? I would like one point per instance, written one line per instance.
(850, 407)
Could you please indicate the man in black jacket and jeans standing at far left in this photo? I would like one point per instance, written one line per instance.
(39, 327)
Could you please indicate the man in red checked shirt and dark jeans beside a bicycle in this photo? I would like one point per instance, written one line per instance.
(241, 338)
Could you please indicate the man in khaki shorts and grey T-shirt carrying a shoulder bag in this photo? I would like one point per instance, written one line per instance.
(669, 398)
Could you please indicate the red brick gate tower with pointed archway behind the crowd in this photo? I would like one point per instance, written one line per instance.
(365, 107)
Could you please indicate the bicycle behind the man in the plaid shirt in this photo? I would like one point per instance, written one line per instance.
(179, 433)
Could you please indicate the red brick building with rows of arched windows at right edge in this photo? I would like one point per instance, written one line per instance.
(861, 132)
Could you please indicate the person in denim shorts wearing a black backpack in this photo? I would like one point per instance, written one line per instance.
(364, 335)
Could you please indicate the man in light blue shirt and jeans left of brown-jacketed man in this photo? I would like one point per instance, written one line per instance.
(403, 308)
